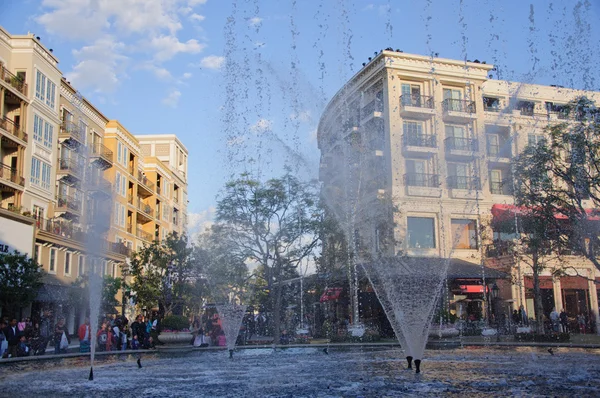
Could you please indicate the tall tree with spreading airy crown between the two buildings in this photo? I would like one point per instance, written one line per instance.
(274, 224)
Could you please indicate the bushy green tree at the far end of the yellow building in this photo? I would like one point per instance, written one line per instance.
(163, 274)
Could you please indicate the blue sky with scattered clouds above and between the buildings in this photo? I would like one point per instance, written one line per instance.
(243, 83)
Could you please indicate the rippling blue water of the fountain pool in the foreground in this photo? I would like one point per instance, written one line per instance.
(308, 372)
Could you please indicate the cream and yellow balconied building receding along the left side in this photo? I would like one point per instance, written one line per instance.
(91, 194)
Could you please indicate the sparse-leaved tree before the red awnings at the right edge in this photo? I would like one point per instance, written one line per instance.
(553, 181)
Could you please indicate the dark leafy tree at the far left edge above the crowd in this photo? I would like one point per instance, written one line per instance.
(20, 280)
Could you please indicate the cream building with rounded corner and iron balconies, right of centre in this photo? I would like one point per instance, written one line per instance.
(416, 159)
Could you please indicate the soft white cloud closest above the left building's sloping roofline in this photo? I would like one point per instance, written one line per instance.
(99, 66)
